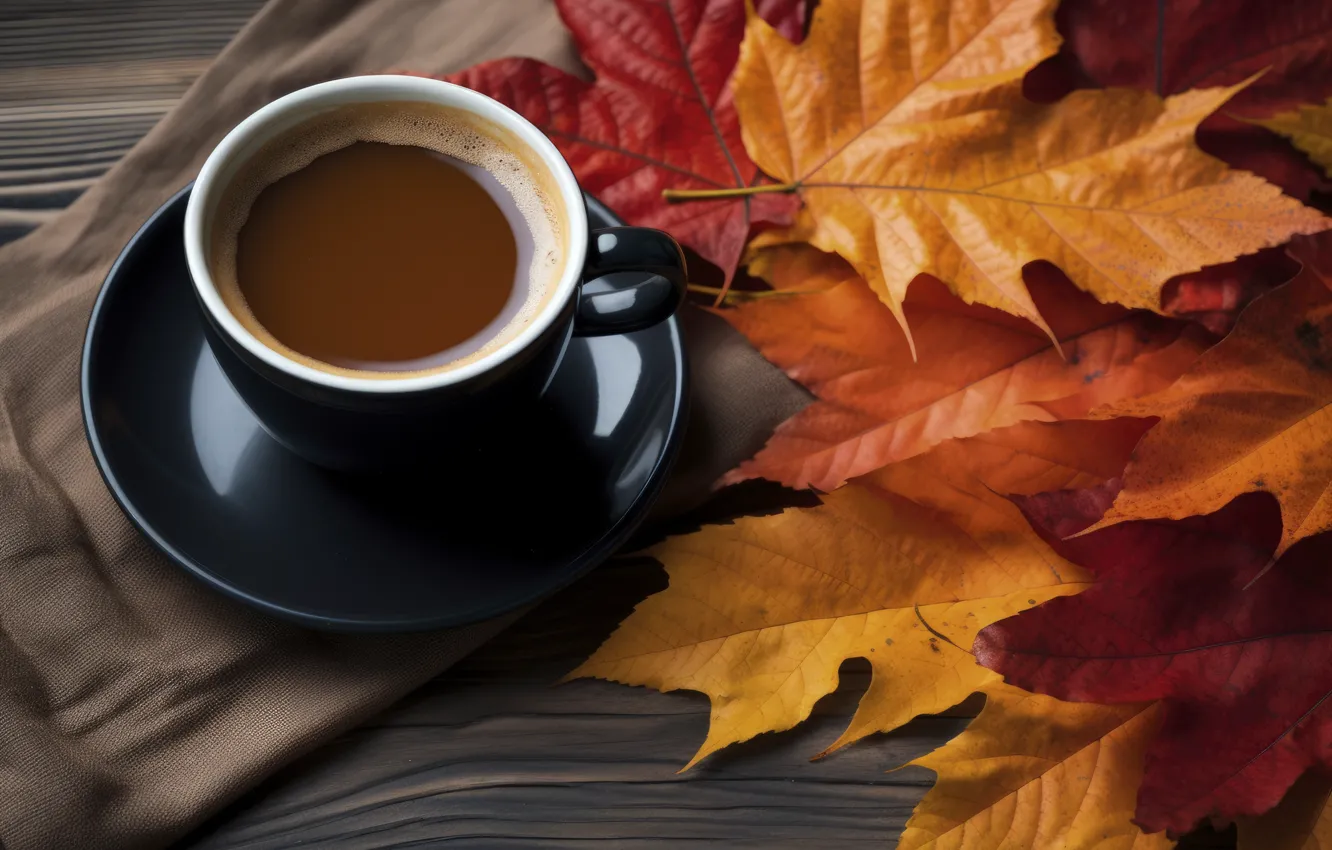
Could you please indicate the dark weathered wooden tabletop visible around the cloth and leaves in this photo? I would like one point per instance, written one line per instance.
(494, 753)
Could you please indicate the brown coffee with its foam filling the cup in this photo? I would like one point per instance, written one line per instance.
(388, 240)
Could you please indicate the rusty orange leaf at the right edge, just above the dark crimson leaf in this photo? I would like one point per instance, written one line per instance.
(1253, 415)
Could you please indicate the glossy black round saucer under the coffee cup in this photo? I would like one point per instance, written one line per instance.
(520, 515)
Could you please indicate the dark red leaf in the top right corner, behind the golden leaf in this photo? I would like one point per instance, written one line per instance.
(1173, 47)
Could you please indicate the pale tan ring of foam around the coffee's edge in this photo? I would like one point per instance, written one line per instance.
(434, 127)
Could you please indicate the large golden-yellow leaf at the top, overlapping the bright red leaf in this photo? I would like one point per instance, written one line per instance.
(904, 130)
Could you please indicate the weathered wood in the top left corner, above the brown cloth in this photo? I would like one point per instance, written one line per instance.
(83, 81)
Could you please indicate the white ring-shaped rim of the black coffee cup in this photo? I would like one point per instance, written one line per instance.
(379, 89)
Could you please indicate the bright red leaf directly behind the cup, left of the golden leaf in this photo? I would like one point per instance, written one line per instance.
(659, 117)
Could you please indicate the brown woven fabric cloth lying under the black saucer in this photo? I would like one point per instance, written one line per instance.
(134, 703)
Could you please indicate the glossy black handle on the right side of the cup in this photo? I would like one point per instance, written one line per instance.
(633, 279)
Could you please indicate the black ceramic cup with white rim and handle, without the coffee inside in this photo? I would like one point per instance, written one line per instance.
(615, 280)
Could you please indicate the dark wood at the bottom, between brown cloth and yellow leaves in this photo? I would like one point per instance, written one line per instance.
(498, 755)
